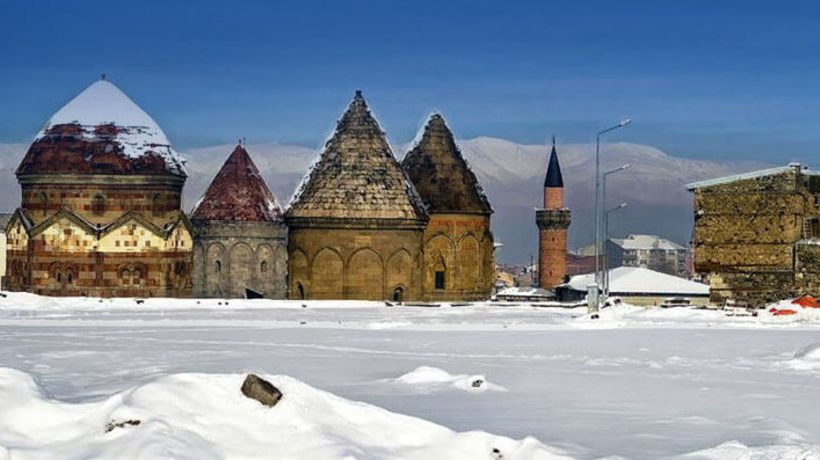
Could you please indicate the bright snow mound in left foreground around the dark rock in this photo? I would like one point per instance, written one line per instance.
(205, 416)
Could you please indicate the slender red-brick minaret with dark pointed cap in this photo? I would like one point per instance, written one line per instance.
(552, 222)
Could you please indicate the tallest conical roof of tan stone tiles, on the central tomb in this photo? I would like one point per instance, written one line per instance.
(356, 175)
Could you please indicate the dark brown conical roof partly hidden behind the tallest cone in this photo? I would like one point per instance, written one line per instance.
(440, 173)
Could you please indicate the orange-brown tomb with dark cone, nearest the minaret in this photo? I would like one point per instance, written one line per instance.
(458, 244)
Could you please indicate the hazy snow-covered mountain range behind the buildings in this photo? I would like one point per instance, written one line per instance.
(511, 174)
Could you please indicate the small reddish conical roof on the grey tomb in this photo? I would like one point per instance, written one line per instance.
(238, 192)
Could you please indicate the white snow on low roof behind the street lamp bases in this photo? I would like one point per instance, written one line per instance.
(639, 280)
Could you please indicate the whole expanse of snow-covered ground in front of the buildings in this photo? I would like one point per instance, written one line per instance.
(636, 383)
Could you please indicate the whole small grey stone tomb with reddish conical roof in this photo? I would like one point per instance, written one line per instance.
(240, 239)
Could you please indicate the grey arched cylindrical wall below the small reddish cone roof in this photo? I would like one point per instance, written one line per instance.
(230, 256)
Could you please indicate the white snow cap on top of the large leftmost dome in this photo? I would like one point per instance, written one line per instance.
(101, 104)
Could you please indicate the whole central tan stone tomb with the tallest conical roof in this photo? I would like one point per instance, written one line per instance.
(356, 223)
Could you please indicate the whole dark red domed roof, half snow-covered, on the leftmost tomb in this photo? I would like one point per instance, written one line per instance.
(101, 131)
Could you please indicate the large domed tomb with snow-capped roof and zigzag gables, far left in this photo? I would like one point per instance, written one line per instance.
(100, 213)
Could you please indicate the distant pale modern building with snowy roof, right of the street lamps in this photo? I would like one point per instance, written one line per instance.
(648, 251)
